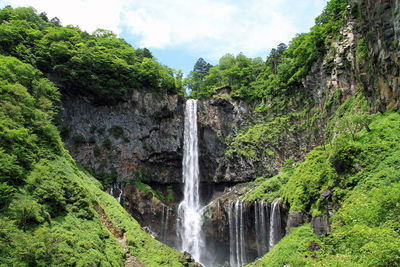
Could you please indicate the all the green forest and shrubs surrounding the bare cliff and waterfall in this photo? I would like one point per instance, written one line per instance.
(53, 212)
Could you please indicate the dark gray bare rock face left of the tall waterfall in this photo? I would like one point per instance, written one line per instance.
(141, 138)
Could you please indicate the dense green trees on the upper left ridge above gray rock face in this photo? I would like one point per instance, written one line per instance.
(99, 65)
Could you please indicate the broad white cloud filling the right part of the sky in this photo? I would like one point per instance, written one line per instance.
(217, 27)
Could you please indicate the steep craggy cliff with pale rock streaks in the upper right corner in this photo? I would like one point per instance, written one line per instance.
(364, 58)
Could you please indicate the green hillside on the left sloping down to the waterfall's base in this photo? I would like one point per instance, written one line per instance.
(51, 212)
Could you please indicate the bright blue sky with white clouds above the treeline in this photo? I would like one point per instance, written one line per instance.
(178, 32)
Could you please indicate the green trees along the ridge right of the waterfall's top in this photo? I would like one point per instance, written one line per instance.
(280, 74)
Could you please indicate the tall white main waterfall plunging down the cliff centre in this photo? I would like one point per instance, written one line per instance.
(189, 210)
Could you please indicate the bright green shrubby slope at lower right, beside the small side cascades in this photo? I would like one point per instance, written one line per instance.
(361, 169)
